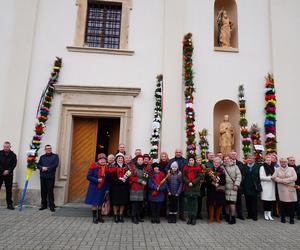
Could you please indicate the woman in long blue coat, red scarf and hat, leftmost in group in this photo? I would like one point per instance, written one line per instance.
(99, 185)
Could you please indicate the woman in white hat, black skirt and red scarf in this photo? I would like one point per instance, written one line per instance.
(119, 188)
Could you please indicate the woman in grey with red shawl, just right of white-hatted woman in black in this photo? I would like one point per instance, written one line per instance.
(137, 184)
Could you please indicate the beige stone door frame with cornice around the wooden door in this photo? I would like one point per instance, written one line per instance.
(109, 103)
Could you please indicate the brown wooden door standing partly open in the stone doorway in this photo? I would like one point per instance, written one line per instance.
(90, 137)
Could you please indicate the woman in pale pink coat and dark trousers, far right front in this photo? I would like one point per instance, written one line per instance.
(285, 177)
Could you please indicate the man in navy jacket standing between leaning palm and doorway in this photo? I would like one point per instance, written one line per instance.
(47, 166)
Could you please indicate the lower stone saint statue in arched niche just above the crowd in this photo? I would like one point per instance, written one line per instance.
(226, 139)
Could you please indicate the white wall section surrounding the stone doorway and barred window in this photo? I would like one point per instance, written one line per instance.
(55, 30)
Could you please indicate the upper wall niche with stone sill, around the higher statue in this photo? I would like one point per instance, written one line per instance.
(231, 8)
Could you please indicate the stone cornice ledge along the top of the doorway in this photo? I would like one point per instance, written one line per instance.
(59, 88)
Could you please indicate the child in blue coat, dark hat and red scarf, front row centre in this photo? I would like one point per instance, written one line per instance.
(156, 192)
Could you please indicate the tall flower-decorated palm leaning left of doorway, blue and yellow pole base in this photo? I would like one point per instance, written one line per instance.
(42, 117)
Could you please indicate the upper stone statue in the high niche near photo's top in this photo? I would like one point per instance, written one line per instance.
(225, 27)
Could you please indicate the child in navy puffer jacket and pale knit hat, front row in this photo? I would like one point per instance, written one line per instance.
(174, 187)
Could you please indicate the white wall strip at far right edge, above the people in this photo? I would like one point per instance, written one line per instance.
(286, 53)
